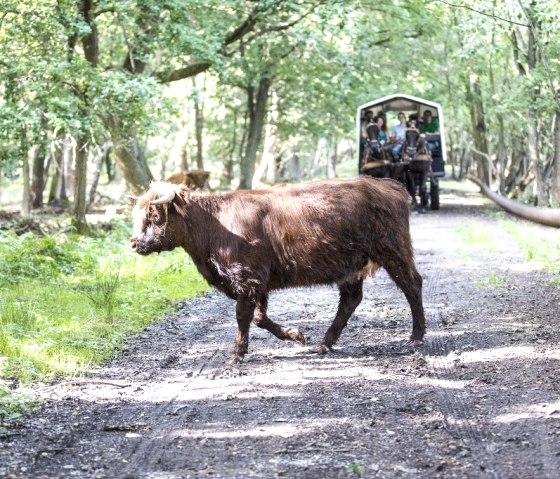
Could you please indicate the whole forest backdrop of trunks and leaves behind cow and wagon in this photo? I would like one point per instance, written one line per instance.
(265, 90)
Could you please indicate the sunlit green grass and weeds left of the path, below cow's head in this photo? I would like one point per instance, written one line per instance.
(68, 302)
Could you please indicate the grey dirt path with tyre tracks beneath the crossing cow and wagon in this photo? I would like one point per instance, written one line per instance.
(480, 399)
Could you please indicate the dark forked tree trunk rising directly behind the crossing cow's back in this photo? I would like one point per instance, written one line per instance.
(256, 105)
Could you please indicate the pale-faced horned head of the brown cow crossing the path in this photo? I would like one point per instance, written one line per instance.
(156, 222)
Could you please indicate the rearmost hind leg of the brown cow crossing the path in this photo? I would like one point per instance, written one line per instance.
(403, 272)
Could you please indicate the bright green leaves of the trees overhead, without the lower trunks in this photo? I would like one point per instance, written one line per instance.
(324, 58)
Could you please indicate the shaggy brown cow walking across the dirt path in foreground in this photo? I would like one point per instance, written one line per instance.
(247, 243)
